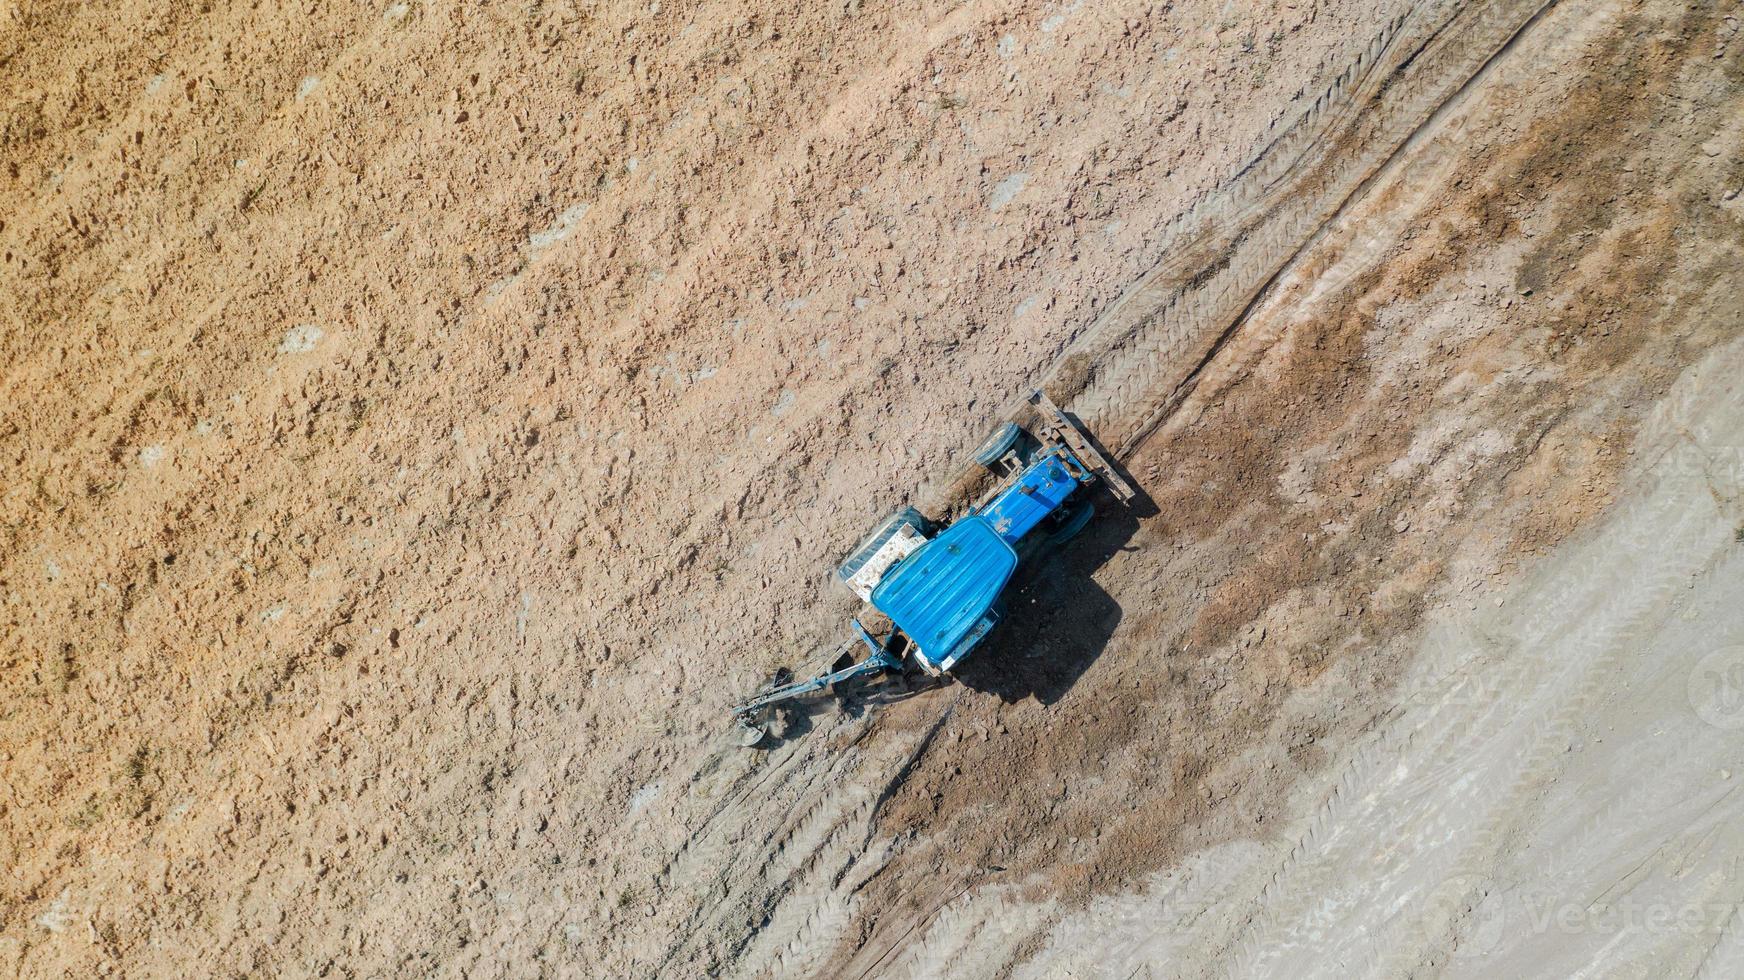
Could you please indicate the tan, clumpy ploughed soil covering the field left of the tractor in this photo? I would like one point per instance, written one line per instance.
(526, 264)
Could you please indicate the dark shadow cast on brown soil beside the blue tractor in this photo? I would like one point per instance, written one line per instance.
(1058, 618)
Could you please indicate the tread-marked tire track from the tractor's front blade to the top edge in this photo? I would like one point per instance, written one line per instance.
(1136, 365)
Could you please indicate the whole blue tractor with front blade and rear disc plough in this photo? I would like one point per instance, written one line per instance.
(941, 589)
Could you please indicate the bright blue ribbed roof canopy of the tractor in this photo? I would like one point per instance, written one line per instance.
(944, 589)
